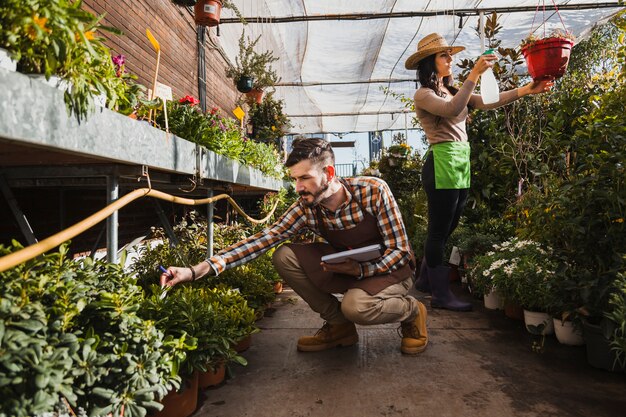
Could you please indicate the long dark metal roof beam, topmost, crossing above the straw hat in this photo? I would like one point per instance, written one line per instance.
(424, 13)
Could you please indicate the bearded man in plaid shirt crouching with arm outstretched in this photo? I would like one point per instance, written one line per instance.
(347, 213)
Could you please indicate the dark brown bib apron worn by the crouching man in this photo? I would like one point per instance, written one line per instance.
(363, 234)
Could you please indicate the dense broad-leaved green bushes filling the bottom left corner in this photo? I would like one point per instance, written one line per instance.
(70, 329)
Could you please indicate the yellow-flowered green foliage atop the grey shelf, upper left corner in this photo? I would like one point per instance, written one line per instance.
(57, 37)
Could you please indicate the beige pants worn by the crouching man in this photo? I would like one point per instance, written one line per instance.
(390, 305)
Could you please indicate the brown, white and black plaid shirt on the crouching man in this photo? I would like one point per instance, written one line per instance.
(372, 193)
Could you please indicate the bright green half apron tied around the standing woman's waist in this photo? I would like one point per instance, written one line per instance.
(452, 165)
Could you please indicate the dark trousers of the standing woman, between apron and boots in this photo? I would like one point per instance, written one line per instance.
(444, 211)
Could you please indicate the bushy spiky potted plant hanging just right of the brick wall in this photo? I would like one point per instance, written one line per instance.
(252, 71)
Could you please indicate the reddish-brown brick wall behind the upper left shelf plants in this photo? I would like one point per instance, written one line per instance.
(175, 30)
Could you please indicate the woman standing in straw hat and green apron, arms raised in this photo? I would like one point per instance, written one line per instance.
(442, 111)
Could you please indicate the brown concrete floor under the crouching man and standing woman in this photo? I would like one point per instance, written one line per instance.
(477, 364)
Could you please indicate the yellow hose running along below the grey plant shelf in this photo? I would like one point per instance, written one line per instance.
(30, 252)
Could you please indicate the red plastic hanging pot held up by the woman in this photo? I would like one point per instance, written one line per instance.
(547, 58)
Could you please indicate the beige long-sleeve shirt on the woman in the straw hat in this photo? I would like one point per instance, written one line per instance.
(443, 118)
